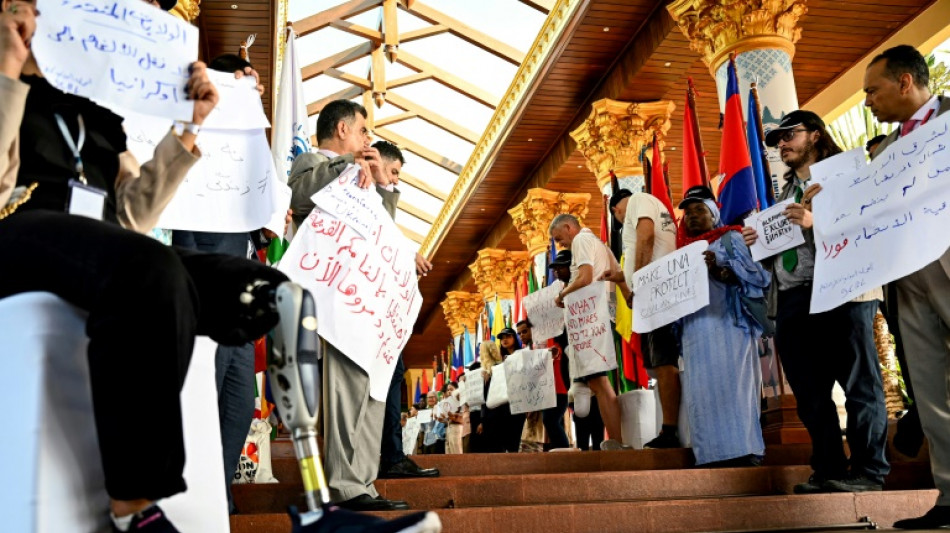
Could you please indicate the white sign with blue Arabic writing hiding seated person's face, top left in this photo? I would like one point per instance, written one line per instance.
(123, 52)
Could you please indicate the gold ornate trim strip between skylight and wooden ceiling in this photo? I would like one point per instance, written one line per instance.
(472, 173)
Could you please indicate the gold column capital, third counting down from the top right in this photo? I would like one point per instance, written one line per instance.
(534, 214)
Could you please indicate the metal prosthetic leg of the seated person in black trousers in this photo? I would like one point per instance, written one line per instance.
(295, 382)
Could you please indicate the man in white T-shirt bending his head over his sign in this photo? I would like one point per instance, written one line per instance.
(590, 257)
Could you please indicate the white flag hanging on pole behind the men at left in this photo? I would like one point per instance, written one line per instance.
(290, 135)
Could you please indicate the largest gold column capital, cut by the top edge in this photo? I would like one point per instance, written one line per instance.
(716, 28)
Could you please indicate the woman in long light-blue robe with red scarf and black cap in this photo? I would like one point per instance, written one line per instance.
(722, 378)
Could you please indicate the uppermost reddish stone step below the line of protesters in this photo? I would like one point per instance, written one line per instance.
(285, 467)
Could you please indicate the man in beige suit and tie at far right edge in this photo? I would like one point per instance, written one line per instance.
(896, 84)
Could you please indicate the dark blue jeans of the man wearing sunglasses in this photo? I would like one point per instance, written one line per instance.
(817, 350)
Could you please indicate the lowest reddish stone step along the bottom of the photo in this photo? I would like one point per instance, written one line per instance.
(750, 513)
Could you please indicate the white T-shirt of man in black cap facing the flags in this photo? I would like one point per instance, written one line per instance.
(643, 205)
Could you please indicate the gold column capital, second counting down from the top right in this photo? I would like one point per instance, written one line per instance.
(615, 133)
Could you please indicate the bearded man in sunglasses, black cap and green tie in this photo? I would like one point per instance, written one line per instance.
(818, 349)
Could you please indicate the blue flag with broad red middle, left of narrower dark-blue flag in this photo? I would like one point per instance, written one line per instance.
(737, 190)
